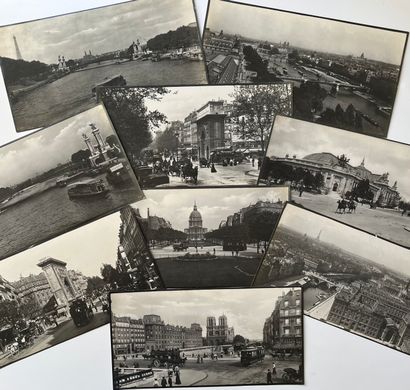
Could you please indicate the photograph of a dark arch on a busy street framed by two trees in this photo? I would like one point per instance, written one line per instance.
(196, 135)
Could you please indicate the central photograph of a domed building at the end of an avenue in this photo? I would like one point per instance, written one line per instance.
(208, 237)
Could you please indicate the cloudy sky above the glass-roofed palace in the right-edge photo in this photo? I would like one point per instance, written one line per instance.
(380, 155)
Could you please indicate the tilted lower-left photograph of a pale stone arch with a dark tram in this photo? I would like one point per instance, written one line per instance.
(58, 290)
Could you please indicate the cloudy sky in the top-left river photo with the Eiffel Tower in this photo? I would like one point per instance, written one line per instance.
(101, 30)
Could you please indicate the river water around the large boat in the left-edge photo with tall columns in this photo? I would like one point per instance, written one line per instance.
(51, 213)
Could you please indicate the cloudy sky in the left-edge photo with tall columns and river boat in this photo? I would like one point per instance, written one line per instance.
(45, 149)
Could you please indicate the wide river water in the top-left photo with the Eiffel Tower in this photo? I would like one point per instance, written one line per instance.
(72, 94)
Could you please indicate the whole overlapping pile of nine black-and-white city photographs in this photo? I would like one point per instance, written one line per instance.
(170, 208)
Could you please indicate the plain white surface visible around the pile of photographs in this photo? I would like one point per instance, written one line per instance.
(333, 358)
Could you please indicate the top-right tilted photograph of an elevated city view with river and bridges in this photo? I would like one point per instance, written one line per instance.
(344, 74)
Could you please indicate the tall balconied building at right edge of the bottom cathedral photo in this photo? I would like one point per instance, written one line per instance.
(282, 331)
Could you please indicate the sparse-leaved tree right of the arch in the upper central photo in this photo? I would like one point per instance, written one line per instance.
(256, 106)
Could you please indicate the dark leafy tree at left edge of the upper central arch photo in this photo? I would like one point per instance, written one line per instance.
(131, 117)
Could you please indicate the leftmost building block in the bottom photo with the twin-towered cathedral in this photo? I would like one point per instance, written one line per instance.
(128, 335)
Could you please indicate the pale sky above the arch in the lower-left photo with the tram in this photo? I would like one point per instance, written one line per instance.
(99, 243)
